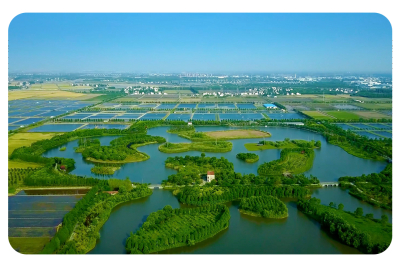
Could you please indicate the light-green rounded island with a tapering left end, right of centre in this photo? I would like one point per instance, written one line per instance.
(292, 161)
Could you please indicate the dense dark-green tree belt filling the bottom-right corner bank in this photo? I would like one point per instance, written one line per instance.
(333, 222)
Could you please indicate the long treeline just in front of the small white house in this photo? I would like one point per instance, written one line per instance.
(196, 195)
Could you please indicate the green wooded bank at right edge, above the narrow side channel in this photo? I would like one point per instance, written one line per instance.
(374, 188)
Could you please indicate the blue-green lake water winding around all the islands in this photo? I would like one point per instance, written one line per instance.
(296, 234)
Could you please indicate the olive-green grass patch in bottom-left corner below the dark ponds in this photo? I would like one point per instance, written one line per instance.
(28, 245)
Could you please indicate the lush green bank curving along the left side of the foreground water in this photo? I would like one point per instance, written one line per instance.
(80, 227)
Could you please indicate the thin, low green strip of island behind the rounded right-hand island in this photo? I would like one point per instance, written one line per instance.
(287, 143)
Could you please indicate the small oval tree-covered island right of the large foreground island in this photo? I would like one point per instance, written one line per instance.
(263, 206)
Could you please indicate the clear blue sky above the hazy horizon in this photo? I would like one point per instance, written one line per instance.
(201, 42)
